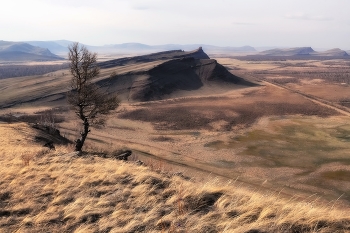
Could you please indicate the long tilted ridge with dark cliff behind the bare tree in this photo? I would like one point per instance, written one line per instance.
(151, 77)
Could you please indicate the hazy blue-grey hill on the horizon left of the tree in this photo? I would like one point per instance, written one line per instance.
(20, 51)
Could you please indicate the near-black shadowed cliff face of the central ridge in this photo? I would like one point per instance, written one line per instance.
(187, 74)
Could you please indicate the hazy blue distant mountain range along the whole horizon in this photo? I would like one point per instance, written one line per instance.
(47, 50)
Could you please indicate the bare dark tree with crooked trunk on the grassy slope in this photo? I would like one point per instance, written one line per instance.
(89, 101)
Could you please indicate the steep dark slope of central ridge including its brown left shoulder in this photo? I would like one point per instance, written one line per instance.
(172, 76)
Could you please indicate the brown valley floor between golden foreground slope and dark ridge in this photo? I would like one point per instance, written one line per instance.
(302, 154)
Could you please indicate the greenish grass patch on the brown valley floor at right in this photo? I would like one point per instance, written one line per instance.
(300, 144)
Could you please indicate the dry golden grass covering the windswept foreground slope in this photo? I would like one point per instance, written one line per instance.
(61, 192)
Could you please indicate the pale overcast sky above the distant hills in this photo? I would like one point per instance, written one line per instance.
(258, 23)
